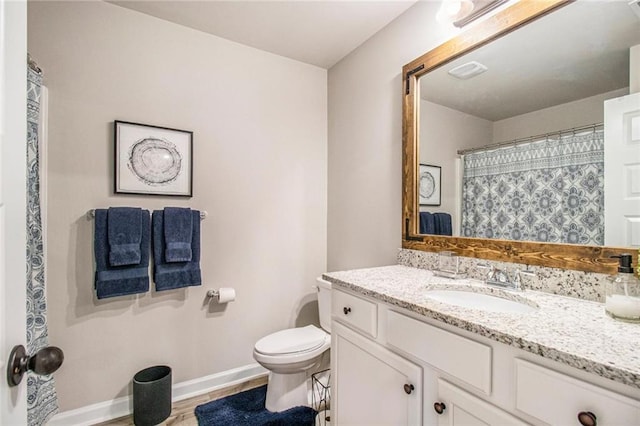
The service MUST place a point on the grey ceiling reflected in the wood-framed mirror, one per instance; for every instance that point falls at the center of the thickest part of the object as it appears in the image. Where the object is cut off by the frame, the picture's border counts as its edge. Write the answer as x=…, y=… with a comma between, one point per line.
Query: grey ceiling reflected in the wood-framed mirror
x=576, y=52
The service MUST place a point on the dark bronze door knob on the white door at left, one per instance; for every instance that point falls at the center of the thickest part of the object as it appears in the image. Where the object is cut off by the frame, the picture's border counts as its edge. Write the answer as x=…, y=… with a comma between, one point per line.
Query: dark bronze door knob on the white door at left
x=45, y=361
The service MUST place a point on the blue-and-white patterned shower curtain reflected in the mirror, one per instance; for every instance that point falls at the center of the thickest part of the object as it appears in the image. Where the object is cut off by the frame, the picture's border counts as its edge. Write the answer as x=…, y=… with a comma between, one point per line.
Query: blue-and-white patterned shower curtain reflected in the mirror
x=550, y=190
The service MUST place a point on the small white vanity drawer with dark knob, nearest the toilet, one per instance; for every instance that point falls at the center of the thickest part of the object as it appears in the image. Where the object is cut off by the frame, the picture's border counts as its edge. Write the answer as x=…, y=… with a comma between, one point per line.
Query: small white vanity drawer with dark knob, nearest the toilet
x=355, y=311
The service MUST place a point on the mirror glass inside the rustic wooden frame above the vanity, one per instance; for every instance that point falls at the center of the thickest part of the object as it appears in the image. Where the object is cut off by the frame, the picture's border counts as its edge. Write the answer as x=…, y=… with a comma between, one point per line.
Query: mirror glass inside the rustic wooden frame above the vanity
x=513, y=139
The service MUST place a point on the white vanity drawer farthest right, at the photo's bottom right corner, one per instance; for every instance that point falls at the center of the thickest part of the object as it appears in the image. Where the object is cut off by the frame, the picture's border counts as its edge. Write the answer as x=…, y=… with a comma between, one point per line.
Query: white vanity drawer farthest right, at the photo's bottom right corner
x=558, y=399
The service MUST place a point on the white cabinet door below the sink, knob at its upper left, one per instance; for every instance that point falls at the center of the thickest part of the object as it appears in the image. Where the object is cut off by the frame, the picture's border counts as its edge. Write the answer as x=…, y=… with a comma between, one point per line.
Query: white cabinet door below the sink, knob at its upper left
x=460, y=408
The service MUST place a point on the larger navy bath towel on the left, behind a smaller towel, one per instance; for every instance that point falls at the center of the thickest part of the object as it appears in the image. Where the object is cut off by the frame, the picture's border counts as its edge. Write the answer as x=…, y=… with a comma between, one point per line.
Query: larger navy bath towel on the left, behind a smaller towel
x=111, y=281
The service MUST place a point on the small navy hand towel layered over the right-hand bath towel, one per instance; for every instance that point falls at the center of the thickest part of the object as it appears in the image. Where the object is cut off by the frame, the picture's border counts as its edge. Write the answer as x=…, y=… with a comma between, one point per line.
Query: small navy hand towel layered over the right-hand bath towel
x=178, y=230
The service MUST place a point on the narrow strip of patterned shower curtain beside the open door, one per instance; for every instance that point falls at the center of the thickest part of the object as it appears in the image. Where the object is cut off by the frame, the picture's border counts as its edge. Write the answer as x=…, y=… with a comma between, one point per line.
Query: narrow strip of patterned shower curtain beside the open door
x=42, y=401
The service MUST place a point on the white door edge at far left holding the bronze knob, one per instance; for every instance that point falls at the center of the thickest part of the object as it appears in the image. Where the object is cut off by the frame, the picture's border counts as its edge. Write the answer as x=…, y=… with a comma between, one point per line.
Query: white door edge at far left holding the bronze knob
x=13, y=137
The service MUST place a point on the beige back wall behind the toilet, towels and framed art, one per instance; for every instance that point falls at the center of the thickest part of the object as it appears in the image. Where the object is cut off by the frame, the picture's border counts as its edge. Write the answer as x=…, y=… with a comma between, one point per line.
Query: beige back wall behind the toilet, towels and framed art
x=260, y=142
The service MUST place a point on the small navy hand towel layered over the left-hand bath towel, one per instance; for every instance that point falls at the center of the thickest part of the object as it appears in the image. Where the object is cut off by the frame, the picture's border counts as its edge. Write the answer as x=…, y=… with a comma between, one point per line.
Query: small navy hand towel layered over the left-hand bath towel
x=124, y=229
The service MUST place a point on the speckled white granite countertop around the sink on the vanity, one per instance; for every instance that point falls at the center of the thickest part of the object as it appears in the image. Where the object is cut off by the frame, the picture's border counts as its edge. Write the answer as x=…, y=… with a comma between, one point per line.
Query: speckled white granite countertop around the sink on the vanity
x=564, y=329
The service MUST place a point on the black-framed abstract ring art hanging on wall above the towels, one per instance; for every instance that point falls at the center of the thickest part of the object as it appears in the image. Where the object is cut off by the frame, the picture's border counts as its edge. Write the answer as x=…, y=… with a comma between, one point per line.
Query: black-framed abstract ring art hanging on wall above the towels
x=152, y=160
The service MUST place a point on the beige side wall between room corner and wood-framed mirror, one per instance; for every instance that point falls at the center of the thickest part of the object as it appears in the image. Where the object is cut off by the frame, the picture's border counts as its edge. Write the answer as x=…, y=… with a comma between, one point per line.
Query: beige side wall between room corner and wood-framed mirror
x=365, y=140
